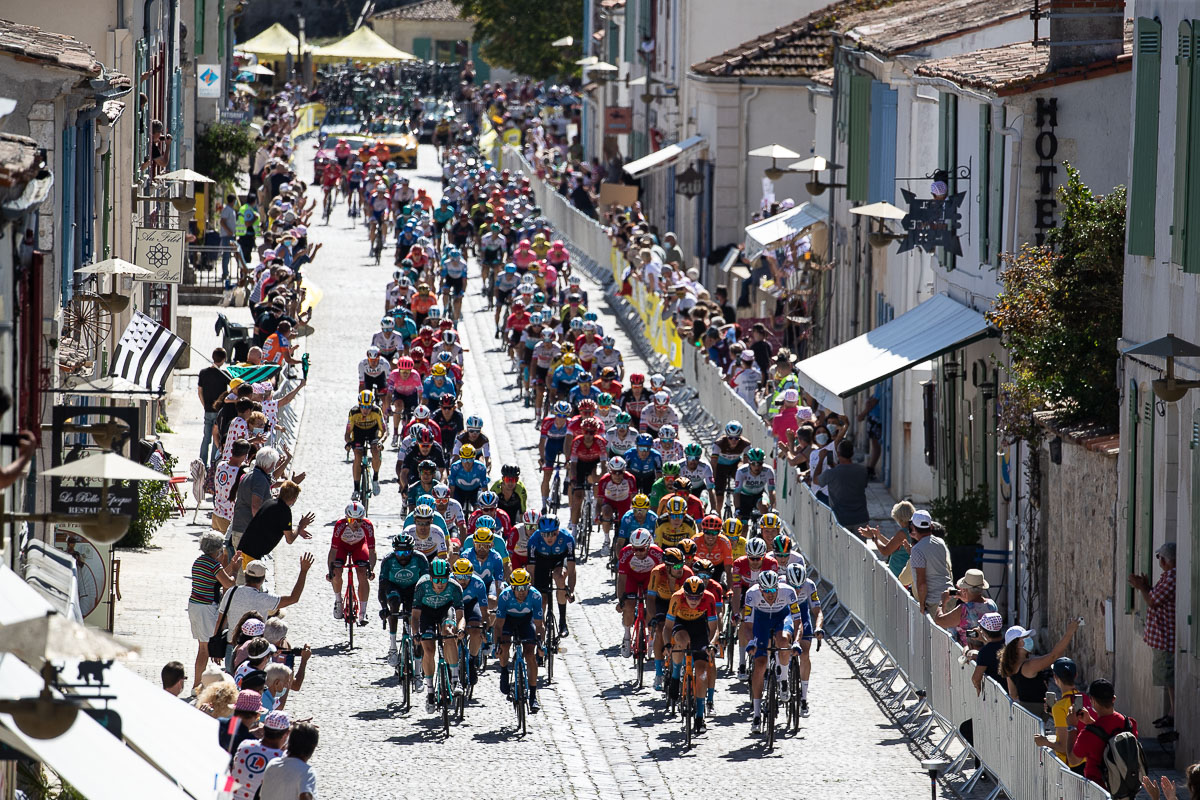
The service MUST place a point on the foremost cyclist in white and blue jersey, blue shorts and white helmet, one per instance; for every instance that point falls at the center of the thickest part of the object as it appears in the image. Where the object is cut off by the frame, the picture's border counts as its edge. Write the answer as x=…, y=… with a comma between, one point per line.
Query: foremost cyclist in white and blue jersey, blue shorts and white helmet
x=772, y=609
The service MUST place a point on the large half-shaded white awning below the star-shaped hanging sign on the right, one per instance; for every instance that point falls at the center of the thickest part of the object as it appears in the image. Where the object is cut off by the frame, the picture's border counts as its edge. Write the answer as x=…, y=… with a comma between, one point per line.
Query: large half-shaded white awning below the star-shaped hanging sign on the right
x=935, y=327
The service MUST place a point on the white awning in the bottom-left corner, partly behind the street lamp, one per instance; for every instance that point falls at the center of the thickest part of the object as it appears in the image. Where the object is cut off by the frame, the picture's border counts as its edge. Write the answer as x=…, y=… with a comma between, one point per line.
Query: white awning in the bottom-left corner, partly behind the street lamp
x=87, y=756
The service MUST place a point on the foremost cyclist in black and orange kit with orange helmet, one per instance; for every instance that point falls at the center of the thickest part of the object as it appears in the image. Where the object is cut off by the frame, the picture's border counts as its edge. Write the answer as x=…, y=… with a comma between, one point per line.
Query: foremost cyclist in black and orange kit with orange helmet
x=693, y=623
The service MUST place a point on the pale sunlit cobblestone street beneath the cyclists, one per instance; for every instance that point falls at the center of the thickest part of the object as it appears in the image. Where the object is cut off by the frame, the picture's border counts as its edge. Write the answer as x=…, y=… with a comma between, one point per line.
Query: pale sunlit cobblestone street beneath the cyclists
x=597, y=736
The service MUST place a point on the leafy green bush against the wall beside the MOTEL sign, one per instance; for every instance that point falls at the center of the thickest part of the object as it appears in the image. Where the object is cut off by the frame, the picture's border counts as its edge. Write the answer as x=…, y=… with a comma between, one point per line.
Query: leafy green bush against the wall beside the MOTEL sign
x=1059, y=314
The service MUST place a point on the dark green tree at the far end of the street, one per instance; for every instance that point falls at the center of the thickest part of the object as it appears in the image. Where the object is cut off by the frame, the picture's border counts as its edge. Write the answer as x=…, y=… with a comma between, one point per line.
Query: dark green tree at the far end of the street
x=518, y=34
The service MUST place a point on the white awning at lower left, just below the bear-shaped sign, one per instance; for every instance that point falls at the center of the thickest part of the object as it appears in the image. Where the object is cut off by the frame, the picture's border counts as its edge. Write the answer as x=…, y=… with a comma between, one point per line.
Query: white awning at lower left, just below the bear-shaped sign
x=171, y=735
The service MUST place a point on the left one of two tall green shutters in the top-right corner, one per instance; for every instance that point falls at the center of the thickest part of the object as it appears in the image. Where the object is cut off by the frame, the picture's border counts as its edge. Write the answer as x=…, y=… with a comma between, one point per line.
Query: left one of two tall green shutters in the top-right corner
x=1144, y=178
